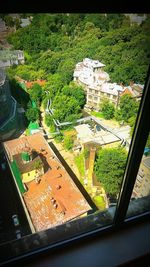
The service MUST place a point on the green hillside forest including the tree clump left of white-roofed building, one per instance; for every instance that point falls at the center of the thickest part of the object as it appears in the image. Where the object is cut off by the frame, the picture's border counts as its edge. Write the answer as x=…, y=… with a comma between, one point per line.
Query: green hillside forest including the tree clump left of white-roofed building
x=54, y=43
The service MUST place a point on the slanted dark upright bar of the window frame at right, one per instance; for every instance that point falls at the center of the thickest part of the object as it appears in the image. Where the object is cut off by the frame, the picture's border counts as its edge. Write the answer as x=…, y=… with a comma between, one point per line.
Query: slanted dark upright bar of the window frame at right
x=139, y=138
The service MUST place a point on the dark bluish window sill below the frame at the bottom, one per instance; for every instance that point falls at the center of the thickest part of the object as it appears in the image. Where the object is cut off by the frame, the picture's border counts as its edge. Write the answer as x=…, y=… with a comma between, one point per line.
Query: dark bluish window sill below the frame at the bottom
x=128, y=246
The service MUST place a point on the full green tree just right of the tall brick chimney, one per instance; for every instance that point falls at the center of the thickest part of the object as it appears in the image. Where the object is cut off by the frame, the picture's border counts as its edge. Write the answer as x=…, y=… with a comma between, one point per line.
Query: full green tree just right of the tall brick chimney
x=109, y=168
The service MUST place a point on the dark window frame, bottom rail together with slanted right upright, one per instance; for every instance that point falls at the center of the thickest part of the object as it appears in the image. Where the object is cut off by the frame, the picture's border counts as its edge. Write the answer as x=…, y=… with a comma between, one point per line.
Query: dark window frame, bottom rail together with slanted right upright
x=139, y=138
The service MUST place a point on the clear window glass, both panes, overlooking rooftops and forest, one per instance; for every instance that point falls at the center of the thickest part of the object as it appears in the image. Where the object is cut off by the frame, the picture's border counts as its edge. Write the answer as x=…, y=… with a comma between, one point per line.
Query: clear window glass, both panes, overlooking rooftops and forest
x=63, y=157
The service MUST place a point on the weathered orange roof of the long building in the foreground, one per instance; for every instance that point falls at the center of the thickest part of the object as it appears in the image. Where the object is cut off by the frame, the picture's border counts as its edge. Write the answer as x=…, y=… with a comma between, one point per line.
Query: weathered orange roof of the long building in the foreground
x=55, y=199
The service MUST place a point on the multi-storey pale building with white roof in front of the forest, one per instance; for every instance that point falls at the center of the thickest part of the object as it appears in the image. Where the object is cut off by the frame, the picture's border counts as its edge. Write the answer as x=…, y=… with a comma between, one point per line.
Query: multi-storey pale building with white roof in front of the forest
x=94, y=79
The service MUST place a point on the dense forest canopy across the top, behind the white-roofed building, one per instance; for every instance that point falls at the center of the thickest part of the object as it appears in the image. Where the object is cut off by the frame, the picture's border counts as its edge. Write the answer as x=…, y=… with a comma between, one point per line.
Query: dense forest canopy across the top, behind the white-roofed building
x=56, y=42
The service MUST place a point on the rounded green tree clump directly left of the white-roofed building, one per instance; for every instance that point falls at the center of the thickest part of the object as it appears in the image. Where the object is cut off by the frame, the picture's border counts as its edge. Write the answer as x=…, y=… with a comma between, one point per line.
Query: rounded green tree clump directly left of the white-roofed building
x=66, y=102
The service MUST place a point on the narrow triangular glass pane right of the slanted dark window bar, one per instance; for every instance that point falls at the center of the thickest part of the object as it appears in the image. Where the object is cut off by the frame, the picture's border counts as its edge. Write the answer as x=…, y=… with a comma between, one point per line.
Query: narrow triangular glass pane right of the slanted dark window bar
x=140, y=200
